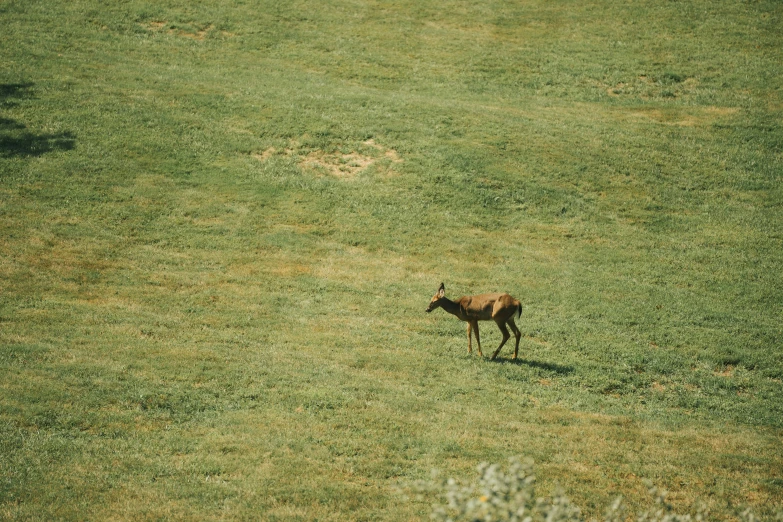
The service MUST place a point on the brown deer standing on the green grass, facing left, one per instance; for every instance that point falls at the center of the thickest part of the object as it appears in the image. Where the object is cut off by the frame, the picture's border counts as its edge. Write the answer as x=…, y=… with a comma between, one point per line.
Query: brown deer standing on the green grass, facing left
x=484, y=307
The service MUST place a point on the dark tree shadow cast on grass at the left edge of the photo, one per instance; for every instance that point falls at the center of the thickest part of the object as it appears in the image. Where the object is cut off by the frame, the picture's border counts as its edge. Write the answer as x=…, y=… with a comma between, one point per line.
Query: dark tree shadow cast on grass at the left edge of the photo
x=16, y=140
